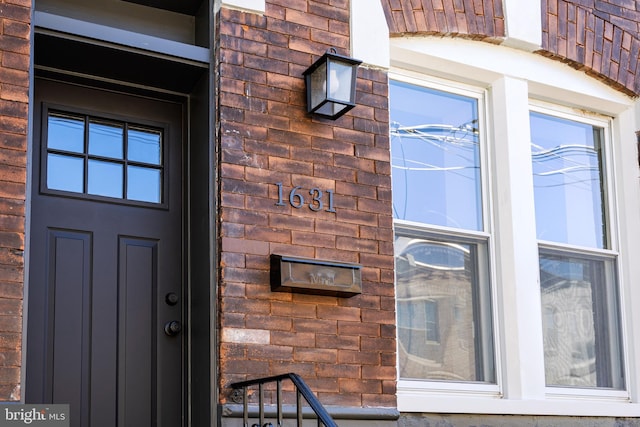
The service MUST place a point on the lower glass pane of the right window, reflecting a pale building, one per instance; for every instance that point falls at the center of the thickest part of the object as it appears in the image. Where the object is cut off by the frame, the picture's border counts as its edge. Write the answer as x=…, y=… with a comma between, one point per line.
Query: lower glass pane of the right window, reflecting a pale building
x=580, y=322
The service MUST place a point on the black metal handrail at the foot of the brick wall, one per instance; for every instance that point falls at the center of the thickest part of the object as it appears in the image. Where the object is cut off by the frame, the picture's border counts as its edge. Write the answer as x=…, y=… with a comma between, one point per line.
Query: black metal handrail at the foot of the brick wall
x=302, y=391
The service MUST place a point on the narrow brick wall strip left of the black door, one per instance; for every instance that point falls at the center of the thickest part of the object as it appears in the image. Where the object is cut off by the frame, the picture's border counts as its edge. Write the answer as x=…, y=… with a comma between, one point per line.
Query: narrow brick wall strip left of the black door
x=14, y=82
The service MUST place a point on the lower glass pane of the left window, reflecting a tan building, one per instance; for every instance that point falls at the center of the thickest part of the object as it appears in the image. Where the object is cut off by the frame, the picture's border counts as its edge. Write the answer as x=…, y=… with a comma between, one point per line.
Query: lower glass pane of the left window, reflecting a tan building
x=444, y=321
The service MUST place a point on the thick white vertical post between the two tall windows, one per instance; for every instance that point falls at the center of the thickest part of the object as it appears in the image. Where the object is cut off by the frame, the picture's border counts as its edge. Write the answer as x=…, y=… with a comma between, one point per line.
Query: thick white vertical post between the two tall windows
x=518, y=292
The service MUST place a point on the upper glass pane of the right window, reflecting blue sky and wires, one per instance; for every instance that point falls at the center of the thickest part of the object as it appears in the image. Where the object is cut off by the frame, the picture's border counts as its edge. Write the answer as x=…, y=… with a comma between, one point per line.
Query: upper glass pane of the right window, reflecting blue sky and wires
x=567, y=176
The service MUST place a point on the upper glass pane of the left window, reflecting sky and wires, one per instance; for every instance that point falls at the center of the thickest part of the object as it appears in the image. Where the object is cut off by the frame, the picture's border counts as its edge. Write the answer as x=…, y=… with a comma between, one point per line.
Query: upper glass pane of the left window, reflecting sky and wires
x=435, y=157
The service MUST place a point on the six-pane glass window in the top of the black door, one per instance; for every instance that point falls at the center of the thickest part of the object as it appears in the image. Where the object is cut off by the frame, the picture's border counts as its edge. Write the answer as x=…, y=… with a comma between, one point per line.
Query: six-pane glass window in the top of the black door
x=99, y=162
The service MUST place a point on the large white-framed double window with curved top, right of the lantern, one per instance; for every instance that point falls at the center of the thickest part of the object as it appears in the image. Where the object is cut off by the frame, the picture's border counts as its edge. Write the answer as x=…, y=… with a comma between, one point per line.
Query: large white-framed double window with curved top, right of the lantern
x=543, y=244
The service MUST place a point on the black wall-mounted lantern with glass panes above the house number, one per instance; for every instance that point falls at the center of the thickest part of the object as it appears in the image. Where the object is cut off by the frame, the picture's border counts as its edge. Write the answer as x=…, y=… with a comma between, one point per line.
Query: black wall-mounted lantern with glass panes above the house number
x=331, y=85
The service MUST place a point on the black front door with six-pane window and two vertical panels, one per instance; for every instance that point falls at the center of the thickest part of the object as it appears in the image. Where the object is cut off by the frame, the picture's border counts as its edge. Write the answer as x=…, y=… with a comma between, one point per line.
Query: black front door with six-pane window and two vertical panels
x=105, y=302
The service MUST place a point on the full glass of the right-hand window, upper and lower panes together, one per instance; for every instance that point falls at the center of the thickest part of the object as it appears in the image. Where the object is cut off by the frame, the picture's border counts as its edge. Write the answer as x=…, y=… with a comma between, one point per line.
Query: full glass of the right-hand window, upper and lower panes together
x=580, y=315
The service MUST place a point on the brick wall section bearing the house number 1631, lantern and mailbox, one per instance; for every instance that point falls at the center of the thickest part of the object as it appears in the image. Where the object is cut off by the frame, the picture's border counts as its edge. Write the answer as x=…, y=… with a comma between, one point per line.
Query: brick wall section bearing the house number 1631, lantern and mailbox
x=343, y=347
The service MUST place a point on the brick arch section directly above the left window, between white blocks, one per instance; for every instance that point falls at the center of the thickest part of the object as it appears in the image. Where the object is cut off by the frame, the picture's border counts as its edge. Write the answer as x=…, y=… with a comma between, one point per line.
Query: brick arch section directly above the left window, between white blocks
x=477, y=19
